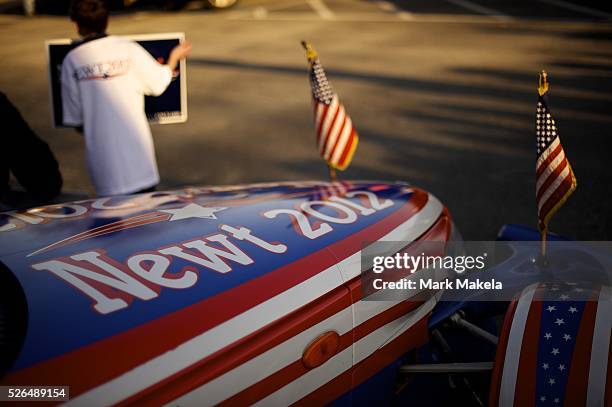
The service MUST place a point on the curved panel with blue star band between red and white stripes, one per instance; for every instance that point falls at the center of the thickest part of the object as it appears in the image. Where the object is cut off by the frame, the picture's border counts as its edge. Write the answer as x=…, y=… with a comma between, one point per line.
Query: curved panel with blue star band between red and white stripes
x=555, y=348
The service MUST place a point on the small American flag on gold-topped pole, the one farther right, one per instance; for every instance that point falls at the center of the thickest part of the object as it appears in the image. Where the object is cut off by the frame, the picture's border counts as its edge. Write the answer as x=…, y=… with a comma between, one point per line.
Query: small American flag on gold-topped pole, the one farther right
x=555, y=180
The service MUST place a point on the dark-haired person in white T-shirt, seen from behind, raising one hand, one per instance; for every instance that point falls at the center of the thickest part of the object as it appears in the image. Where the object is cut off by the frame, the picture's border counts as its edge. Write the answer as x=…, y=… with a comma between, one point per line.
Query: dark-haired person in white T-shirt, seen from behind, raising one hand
x=104, y=81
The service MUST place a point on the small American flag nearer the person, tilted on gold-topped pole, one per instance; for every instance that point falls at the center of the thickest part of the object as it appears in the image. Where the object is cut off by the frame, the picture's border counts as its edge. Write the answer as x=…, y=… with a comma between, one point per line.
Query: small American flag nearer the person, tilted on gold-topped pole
x=336, y=136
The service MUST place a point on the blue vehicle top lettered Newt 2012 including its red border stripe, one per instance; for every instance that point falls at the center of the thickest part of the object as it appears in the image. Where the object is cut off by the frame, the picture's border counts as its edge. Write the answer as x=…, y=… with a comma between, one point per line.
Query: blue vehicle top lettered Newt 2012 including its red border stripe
x=52, y=249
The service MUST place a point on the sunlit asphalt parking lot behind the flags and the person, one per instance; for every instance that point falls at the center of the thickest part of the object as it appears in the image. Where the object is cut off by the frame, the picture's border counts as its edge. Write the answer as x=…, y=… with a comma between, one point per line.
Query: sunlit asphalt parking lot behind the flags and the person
x=442, y=94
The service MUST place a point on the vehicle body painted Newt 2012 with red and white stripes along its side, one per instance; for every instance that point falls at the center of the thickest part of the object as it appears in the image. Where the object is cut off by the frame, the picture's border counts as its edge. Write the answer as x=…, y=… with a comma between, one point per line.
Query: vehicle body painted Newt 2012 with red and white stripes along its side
x=211, y=295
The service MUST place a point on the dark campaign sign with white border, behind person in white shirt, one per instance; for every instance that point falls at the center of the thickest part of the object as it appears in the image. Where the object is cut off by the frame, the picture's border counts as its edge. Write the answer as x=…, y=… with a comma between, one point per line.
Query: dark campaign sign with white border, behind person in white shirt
x=169, y=107
